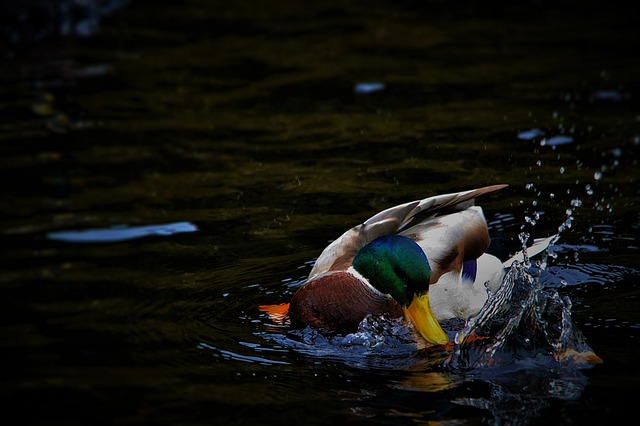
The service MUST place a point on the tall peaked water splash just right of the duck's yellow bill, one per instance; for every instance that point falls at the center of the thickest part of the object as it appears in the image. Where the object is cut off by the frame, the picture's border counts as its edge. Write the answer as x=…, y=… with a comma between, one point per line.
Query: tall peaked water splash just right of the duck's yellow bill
x=521, y=320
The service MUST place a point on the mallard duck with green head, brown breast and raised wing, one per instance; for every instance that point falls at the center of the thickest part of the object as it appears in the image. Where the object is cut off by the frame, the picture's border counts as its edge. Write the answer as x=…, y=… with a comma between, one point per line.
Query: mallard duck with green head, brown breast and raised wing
x=425, y=261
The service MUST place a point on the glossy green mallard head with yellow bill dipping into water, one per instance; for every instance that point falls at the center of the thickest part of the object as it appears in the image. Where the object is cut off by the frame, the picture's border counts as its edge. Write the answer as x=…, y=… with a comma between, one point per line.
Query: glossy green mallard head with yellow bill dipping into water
x=397, y=266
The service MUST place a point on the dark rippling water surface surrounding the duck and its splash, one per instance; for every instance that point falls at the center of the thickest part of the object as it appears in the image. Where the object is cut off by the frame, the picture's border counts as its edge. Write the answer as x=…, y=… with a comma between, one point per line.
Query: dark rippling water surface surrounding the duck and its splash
x=212, y=150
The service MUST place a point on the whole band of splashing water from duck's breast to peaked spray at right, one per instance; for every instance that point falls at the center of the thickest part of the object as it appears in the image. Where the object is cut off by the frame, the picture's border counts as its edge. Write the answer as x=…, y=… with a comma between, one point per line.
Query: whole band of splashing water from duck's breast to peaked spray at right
x=521, y=322
